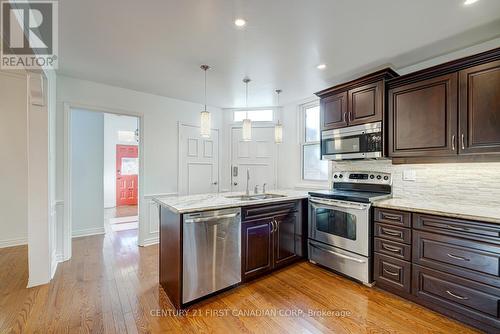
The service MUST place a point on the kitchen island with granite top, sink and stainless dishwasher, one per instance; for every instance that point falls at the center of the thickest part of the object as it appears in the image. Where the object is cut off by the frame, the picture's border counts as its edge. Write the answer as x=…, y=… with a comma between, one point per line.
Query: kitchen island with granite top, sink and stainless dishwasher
x=212, y=242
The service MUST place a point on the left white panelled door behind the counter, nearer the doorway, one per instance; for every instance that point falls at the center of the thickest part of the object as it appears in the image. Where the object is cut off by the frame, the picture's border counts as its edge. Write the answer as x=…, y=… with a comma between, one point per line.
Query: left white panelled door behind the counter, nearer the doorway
x=198, y=161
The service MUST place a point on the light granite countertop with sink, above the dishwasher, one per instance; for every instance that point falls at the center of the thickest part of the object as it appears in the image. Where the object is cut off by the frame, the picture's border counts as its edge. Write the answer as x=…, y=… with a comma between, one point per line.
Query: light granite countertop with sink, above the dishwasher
x=214, y=201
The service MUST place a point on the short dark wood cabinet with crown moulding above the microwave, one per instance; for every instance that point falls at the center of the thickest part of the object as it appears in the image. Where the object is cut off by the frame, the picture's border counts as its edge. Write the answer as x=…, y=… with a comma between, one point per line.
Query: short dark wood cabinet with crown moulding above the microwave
x=355, y=102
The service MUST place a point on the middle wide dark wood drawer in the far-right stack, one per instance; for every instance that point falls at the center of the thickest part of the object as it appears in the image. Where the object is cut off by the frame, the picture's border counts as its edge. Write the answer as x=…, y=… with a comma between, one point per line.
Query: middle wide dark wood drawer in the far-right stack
x=472, y=259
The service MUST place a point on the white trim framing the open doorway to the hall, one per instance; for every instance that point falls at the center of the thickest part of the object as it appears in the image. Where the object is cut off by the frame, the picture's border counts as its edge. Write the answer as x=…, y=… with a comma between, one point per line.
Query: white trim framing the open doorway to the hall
x=67, y=225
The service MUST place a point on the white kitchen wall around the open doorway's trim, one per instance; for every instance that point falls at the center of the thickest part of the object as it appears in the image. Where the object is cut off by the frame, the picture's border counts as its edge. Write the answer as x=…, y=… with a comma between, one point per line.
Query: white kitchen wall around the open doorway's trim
x=159, y=123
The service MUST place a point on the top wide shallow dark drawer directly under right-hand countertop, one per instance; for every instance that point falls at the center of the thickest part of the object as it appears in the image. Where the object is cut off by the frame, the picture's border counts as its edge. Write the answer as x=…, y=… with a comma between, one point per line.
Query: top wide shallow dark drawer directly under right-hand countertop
x=457, y=227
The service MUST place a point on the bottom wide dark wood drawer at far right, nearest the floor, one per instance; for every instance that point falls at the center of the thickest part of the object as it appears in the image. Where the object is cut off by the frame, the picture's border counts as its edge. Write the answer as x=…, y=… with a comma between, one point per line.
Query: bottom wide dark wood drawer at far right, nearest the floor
x=459, y=295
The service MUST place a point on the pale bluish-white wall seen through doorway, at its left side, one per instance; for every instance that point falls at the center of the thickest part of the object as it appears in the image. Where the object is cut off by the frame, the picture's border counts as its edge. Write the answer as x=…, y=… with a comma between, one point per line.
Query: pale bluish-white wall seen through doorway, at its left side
x=87, y=172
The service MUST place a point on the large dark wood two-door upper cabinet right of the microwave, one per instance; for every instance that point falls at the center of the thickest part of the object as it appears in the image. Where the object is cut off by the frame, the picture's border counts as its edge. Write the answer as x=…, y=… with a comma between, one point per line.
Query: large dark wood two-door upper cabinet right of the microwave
x=446, y=113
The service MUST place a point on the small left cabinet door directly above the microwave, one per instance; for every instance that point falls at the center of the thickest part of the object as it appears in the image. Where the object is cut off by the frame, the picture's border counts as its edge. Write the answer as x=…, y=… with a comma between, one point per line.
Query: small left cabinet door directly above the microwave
x=334, y=111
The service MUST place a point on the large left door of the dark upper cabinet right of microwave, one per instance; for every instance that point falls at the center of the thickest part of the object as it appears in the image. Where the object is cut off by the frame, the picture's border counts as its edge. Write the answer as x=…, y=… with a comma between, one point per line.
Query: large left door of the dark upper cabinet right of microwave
x=423, y=118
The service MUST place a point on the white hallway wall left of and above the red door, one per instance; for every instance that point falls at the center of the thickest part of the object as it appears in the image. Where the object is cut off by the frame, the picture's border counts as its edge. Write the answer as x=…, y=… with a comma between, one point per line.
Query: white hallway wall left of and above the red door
x=113, y=124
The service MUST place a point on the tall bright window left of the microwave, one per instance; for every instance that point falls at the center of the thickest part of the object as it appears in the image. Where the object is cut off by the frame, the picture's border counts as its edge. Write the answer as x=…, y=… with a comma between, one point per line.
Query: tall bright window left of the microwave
x=313, y=168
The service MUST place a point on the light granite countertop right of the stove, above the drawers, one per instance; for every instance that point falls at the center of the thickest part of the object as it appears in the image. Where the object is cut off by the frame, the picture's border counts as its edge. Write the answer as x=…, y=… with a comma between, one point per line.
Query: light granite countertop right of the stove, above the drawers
x=461, y=210
